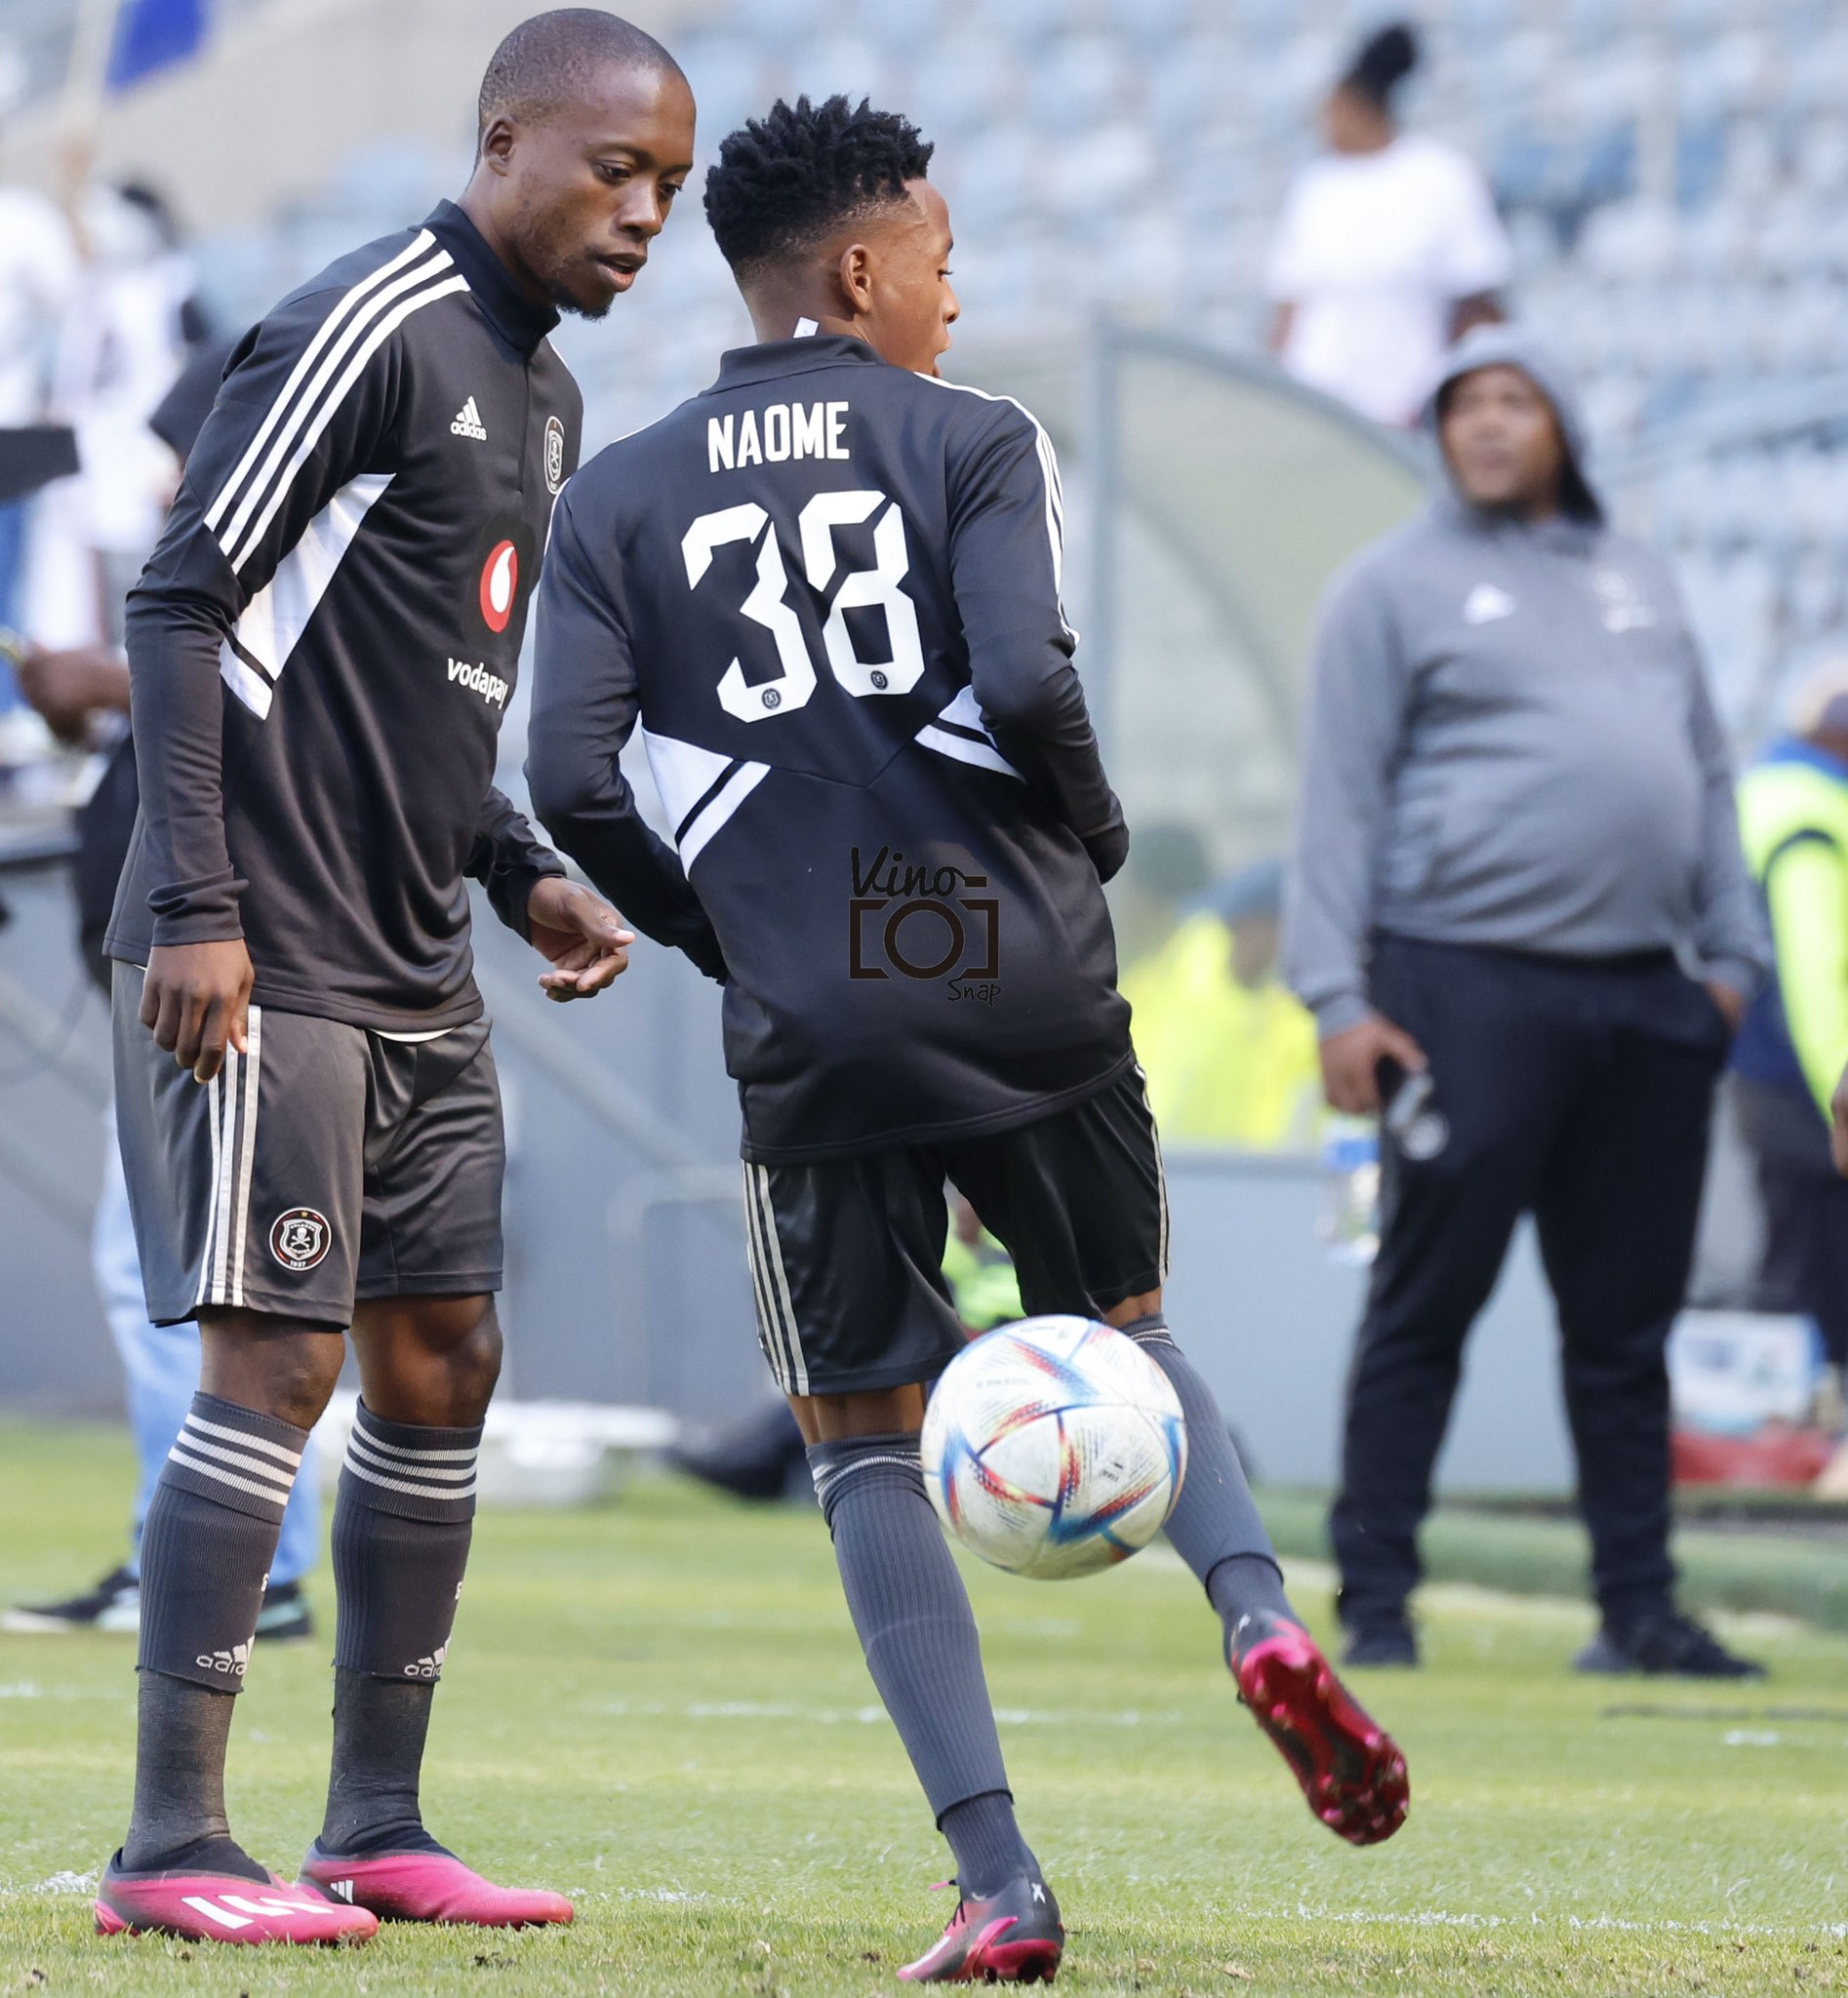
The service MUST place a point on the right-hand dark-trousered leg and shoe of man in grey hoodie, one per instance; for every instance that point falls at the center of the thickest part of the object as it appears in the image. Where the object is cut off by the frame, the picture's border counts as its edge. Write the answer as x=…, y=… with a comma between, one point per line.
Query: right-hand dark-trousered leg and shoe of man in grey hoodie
x=1617, y=1230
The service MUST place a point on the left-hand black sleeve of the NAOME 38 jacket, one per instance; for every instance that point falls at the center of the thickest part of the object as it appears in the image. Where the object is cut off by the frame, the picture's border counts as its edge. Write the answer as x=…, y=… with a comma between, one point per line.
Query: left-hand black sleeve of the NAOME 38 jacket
x=584, y=712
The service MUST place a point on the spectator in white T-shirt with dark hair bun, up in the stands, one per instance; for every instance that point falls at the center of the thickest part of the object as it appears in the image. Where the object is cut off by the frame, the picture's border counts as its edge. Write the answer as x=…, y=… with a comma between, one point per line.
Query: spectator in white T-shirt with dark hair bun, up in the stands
x=1387, y=251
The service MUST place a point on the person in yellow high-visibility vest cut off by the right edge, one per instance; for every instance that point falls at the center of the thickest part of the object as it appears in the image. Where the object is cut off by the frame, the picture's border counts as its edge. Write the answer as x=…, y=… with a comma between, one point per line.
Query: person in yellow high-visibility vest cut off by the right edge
x=1793, y=810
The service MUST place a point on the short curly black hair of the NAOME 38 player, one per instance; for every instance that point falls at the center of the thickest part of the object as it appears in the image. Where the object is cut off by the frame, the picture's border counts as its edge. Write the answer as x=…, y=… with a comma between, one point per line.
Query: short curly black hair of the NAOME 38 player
x=802, y=171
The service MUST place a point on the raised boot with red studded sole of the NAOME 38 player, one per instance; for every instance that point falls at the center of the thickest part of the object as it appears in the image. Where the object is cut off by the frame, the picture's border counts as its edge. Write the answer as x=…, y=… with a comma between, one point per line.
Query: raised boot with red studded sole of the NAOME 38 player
x=1348, y=1765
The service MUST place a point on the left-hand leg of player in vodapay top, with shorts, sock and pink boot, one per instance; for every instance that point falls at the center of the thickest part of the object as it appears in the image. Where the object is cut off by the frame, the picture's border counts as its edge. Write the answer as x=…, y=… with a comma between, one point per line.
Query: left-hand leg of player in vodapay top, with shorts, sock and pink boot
x=215, y=1178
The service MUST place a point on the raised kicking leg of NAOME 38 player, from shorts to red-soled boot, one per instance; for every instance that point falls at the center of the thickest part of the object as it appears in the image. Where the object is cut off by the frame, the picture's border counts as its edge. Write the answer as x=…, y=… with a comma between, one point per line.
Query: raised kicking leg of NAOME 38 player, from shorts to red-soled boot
x=1082, y=1204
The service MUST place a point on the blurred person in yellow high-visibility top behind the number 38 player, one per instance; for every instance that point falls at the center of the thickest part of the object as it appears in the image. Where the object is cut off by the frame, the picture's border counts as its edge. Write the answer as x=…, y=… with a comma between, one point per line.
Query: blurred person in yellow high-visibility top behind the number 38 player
x=1228, y=1048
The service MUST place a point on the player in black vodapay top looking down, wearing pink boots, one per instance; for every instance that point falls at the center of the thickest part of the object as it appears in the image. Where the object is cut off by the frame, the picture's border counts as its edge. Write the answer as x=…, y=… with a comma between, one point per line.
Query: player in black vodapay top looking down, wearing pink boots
x=321, y=654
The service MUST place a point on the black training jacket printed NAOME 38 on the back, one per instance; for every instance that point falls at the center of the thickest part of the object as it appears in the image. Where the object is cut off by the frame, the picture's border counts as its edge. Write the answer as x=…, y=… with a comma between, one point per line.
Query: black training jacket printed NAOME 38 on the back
x=828, y=590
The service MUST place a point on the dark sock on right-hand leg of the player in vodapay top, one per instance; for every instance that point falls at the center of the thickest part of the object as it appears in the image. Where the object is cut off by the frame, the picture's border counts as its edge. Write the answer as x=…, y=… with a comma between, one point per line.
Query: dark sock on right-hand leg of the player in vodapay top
x=403, y=1529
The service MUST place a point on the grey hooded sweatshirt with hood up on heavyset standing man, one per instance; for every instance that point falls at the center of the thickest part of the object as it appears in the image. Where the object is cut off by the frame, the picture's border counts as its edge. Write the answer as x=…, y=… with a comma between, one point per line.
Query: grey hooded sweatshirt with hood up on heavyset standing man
x=1511, y=744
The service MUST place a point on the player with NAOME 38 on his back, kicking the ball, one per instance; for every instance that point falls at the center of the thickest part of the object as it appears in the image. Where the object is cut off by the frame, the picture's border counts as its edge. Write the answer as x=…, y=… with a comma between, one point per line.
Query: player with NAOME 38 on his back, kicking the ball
x=828, y=590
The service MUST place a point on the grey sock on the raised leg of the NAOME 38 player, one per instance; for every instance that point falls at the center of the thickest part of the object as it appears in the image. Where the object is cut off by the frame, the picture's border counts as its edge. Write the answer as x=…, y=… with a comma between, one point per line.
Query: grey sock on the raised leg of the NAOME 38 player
x=1216, y=1527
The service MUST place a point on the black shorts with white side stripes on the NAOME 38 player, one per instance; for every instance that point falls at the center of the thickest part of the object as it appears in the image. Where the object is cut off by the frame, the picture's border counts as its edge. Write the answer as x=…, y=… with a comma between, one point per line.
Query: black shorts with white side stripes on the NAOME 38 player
x=848, y=1254
